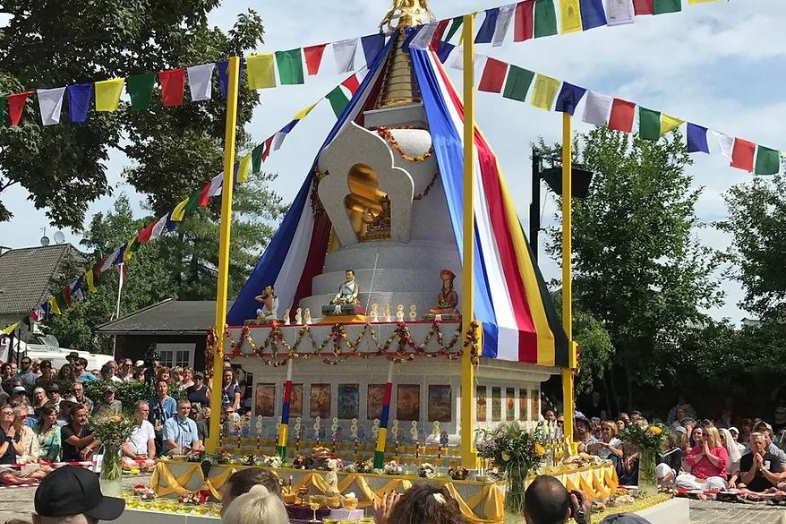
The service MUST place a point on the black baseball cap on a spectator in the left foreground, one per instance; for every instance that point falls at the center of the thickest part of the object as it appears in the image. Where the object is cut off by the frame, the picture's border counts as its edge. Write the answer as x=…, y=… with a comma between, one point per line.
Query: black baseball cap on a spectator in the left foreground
x=72, y=490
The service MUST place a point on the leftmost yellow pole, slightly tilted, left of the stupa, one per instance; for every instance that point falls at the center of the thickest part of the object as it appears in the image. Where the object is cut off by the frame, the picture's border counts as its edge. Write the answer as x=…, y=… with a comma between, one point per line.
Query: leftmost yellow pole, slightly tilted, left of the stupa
x=223, y=252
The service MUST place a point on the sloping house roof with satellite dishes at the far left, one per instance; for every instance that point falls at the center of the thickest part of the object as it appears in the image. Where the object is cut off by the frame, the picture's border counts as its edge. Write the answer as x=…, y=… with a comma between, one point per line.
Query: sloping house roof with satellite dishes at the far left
x=26, y=275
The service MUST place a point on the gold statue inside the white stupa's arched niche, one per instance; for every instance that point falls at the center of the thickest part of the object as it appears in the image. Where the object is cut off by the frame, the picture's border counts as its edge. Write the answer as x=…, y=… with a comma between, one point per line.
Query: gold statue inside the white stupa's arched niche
x=368, y=207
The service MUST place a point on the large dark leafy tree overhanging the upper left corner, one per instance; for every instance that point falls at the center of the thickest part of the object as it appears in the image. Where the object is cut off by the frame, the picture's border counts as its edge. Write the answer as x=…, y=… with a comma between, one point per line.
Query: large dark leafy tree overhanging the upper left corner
x=50, y=44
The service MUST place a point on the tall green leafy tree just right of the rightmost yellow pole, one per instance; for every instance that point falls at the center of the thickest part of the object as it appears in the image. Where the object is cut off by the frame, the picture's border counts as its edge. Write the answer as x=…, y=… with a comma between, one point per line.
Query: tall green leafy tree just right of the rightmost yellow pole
x=638, y=267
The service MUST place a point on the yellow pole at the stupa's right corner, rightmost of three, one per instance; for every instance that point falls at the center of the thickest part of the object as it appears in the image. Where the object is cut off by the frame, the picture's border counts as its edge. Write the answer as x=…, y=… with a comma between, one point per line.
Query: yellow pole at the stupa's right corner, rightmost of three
x=567, y=289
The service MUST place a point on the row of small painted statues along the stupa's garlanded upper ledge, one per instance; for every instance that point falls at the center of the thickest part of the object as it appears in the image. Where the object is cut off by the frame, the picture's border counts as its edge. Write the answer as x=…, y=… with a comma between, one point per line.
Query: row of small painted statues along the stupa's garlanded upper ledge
x=345, y=302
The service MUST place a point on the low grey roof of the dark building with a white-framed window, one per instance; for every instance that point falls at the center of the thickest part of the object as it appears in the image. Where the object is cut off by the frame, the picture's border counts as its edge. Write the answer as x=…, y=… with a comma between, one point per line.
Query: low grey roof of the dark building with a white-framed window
x=170, y=317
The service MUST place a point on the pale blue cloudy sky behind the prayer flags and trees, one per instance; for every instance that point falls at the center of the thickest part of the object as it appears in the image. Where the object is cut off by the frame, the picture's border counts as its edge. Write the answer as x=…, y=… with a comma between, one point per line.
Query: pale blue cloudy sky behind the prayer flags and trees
x=716, y=64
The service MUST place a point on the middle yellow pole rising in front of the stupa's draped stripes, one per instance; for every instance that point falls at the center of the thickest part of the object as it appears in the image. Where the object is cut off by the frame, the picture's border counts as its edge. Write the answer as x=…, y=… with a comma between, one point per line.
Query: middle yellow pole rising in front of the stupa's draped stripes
x=469, y=456
